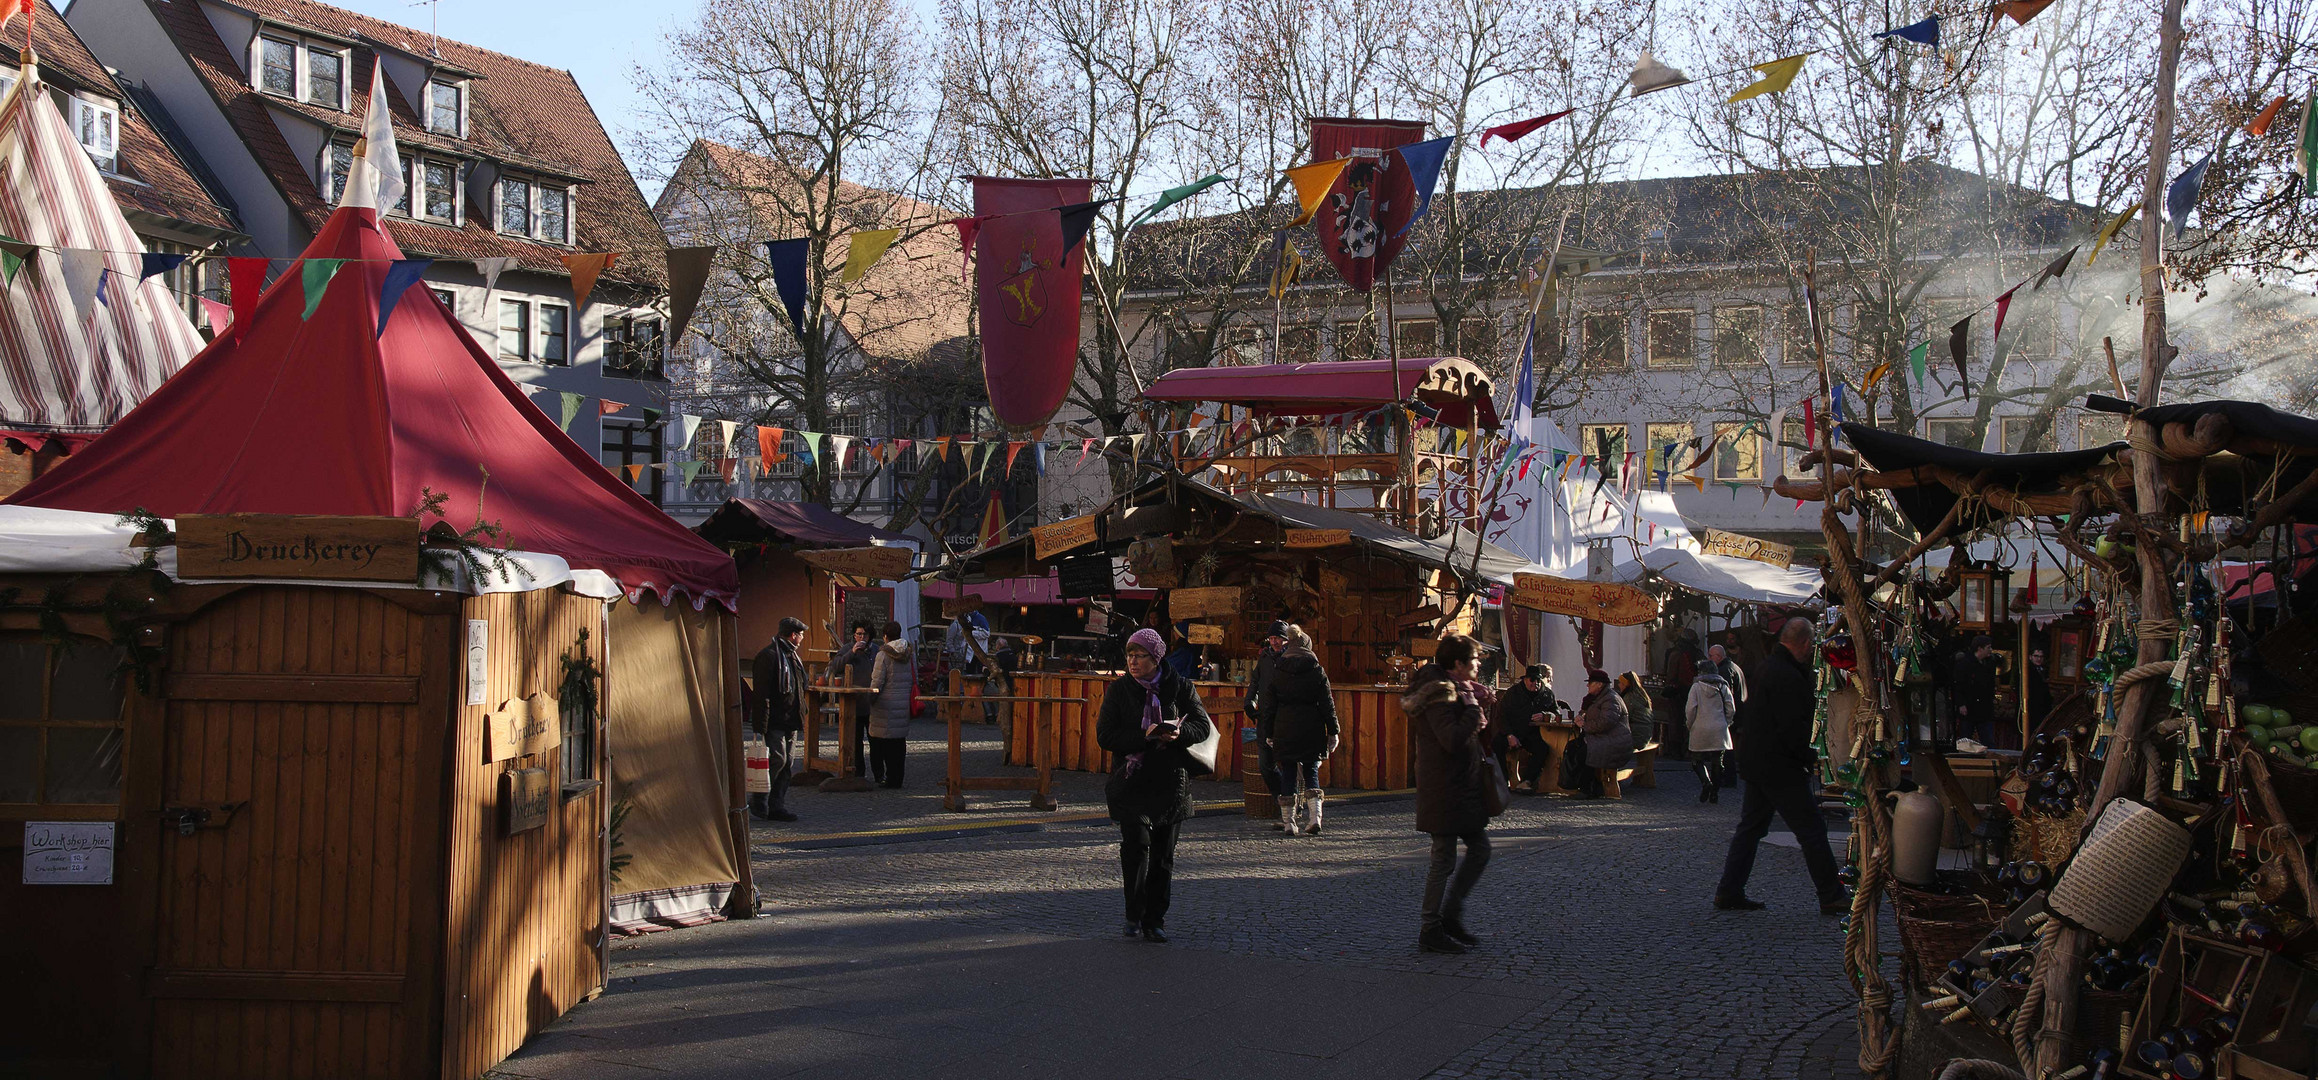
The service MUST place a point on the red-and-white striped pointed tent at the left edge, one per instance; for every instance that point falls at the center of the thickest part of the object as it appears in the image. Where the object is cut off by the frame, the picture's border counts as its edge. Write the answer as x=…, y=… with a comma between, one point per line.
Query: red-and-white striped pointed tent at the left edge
x=82, y=335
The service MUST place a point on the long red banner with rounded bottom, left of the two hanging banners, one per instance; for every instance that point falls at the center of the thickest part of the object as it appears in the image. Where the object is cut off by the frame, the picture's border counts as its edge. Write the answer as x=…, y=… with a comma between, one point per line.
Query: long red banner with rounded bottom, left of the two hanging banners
x=1028, y=295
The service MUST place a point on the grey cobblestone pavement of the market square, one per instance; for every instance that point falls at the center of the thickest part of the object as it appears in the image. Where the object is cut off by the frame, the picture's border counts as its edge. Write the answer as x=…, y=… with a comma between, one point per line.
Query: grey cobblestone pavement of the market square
x=996, y=954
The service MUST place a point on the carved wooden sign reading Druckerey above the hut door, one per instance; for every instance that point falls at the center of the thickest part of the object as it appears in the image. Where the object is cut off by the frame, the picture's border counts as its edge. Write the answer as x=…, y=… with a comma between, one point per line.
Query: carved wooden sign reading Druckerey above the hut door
x=312, y=548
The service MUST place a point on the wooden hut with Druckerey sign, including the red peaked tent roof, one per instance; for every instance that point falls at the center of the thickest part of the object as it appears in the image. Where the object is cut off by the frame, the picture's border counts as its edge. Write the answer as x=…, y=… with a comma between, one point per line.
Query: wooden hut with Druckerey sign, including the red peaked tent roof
x=305, y=759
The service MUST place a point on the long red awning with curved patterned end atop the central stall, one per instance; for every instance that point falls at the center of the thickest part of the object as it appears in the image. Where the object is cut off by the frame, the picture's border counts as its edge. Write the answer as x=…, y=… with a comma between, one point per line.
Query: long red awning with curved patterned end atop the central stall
x=1452, y=386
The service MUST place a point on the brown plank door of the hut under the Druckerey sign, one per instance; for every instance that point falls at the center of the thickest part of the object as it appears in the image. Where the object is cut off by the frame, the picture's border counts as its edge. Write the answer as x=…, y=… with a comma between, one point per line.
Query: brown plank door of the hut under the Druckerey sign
x=298, y=900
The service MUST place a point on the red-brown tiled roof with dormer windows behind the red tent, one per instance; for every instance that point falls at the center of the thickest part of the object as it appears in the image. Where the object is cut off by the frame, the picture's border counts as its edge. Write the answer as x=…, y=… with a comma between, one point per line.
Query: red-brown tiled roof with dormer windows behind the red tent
x=520, y=112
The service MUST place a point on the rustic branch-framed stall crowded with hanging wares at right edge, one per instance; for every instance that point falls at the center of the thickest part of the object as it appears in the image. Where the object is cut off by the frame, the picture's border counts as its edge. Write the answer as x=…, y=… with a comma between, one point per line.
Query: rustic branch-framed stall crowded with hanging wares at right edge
x=2138, y=893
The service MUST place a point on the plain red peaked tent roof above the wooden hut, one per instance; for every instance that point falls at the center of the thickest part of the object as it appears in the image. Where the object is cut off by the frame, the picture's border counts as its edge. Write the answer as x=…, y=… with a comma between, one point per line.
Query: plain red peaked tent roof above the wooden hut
x=323, y=416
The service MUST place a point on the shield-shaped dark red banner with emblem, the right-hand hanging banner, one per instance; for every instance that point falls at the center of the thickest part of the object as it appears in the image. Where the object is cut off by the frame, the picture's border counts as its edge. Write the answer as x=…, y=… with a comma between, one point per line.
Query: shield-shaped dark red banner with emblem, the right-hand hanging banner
x=1362, y=219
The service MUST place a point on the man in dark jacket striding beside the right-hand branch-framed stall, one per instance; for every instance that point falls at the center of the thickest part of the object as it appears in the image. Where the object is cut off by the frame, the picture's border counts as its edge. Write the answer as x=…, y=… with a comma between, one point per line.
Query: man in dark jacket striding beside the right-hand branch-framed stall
x=1777, y=761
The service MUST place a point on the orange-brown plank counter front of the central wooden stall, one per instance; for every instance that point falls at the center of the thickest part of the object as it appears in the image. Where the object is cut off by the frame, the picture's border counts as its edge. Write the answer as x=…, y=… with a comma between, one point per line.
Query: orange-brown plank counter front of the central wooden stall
x=1376, y=752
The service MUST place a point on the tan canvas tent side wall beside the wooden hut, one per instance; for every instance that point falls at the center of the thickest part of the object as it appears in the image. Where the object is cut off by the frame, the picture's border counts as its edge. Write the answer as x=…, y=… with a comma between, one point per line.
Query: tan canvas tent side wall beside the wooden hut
x=669, y=734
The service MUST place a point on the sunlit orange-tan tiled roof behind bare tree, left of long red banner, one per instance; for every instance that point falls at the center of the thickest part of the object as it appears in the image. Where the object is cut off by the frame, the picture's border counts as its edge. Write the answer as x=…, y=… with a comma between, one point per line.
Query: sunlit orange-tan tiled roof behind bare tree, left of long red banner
x=907, y=305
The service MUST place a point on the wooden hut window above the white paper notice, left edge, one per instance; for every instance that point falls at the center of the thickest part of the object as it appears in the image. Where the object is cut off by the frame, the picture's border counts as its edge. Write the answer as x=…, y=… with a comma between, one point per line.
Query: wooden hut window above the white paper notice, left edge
x=61, y=722
